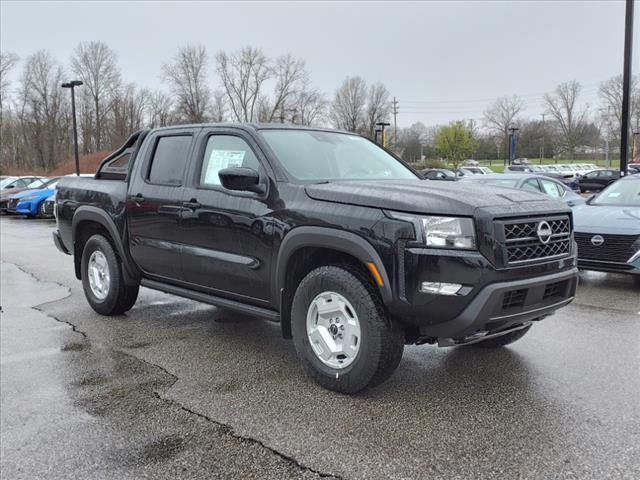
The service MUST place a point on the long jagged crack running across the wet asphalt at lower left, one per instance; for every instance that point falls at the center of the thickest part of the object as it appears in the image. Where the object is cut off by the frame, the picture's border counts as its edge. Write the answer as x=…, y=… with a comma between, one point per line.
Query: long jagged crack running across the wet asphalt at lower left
x=226, y=429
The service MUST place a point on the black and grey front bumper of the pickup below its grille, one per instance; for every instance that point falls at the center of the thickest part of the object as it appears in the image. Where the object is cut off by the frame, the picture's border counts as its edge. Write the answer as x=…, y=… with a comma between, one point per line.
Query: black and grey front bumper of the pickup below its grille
x=493, y=299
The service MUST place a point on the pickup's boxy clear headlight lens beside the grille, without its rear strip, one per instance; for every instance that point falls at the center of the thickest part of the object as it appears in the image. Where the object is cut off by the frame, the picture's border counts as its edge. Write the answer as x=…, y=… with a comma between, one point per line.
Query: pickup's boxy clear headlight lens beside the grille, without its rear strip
x=449, y=232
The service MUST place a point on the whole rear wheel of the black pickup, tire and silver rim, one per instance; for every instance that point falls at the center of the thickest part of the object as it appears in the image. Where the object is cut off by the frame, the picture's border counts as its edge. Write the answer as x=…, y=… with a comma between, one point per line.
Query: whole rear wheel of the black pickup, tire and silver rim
x=102, y=279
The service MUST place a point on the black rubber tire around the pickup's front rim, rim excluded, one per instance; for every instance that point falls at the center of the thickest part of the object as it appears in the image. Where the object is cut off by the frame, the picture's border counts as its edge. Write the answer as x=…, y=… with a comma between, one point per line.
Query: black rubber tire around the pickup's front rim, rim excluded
x=381, y=345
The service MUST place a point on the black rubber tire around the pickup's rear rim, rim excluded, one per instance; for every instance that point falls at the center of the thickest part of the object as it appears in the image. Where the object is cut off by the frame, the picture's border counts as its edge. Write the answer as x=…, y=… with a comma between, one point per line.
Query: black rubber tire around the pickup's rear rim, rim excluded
x=120, y=297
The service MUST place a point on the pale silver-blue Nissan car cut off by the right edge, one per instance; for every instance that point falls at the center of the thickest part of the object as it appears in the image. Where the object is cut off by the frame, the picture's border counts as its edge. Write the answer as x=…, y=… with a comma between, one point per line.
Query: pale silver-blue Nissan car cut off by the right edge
x=607, y=229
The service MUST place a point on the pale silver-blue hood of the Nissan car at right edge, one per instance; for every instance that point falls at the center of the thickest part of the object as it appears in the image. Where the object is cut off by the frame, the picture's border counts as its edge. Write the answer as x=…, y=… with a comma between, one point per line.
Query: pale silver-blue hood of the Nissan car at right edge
x=607, y=219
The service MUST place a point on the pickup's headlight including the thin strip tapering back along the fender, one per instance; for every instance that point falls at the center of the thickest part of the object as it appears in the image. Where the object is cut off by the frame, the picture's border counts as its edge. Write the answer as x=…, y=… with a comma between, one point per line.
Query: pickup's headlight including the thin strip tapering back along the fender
x=441, y=232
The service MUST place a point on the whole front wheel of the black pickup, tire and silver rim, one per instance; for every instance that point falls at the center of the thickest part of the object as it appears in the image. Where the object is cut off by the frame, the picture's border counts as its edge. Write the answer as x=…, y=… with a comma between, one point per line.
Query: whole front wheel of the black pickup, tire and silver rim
x=341, y=331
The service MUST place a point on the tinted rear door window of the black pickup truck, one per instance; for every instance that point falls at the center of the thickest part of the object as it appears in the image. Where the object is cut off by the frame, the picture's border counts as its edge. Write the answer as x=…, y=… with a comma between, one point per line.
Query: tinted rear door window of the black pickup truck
x=169, y=160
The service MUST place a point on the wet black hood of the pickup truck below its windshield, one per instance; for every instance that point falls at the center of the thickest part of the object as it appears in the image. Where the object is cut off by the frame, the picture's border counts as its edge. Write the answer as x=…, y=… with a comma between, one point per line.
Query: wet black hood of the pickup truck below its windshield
x=421, y=196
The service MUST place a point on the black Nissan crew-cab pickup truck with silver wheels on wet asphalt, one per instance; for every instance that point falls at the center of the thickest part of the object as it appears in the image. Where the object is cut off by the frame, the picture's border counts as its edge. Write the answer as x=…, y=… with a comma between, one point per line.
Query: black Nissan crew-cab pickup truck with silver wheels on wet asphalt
x=322, y=231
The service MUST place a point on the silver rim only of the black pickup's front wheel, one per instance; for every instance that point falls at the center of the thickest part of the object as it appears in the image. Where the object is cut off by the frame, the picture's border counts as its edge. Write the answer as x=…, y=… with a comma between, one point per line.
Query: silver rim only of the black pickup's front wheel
x=333, y=330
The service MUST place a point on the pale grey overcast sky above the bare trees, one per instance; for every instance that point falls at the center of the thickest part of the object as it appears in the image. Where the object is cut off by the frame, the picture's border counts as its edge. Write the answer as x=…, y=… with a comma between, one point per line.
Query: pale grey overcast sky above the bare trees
x=442, y=60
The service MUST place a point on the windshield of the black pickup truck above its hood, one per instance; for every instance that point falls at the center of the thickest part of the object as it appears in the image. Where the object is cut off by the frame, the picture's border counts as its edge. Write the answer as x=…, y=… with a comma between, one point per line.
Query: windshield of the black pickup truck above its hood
x=324, y=156
